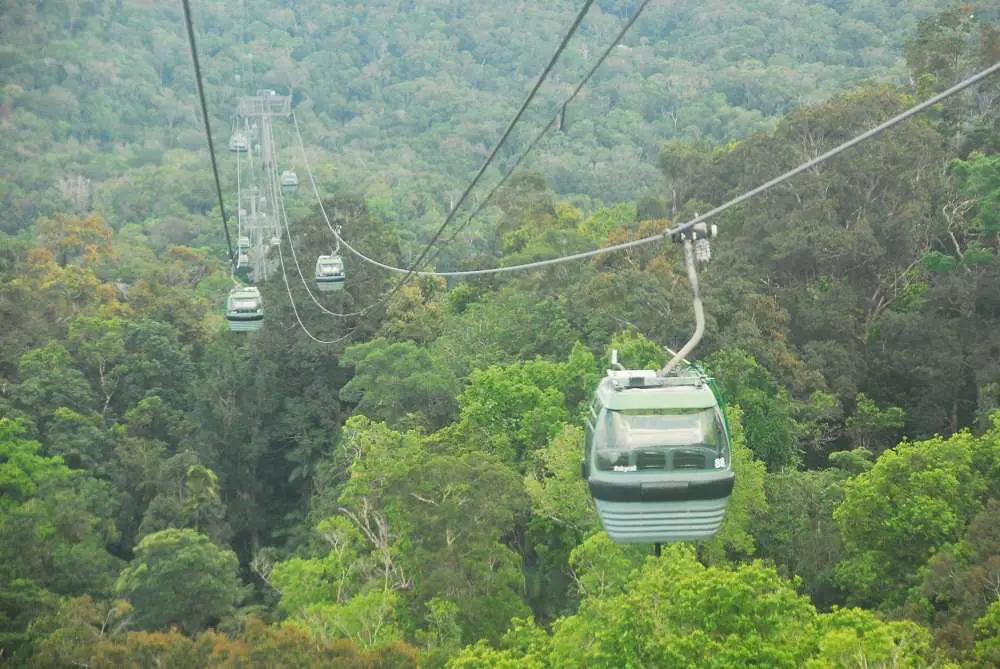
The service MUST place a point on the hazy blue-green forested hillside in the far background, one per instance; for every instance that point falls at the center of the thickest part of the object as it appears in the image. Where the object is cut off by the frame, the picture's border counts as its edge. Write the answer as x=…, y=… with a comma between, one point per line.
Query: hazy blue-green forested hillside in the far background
x=404, y=98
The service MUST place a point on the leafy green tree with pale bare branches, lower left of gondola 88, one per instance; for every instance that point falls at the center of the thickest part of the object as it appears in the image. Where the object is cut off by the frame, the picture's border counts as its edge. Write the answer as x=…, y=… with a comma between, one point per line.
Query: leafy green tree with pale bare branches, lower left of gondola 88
x=433, y=521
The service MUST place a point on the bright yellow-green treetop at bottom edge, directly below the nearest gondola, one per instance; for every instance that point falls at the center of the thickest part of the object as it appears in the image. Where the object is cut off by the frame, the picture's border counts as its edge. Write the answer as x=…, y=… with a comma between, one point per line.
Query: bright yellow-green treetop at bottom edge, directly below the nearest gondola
x=673, y=611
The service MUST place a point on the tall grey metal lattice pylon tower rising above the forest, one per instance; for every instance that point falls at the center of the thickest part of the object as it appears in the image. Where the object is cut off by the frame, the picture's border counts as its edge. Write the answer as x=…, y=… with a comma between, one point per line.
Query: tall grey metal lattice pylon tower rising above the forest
x=259, y=218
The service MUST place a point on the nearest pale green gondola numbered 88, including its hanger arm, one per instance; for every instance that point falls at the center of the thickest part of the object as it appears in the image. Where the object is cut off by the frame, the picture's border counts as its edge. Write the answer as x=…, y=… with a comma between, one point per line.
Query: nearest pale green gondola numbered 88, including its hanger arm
x=657, y=455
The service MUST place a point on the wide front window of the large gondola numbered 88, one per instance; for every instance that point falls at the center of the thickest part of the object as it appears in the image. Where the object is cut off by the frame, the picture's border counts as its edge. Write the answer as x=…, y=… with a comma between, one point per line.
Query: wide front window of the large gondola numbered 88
x=664, y=439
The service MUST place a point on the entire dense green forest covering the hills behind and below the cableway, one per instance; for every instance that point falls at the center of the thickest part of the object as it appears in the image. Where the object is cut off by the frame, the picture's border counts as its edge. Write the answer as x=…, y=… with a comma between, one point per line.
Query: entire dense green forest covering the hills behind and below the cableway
x=174, y=494
